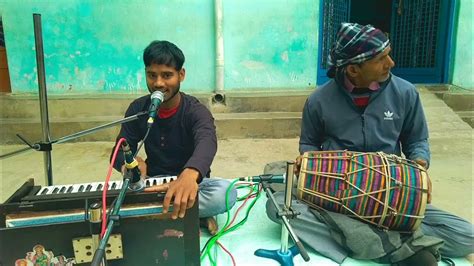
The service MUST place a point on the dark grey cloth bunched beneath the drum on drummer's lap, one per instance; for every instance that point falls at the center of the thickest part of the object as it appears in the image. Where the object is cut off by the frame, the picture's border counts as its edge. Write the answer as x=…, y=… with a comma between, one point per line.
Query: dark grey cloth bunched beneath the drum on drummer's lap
x=364, y=241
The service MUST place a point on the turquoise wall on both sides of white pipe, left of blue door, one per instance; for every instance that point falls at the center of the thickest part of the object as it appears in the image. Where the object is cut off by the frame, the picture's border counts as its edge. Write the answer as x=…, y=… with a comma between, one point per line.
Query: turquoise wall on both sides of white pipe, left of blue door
x=96, y=46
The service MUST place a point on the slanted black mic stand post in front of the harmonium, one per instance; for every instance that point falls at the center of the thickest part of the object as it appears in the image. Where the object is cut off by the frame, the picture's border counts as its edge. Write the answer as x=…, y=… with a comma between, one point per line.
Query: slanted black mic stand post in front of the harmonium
x=113, y=217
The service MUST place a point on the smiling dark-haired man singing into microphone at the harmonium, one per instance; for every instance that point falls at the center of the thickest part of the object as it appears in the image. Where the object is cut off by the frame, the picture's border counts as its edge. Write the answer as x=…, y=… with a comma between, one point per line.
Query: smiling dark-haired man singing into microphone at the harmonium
x=182, y=140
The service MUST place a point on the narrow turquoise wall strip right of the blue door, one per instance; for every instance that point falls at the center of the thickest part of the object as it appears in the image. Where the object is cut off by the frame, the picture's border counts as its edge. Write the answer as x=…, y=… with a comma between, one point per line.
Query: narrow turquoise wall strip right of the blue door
x=463, y=70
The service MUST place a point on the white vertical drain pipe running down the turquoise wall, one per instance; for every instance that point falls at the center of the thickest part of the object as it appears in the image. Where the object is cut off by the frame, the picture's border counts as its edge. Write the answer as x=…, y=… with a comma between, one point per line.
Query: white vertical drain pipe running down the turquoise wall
x=219, y=96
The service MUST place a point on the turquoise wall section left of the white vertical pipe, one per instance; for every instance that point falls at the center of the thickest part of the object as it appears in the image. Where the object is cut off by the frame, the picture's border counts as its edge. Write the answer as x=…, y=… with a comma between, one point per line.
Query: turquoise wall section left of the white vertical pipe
x=96, y=46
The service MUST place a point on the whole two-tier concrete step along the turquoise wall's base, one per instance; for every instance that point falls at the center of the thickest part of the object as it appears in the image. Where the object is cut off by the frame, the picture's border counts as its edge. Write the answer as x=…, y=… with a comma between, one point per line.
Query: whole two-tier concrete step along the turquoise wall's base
x=237, y=115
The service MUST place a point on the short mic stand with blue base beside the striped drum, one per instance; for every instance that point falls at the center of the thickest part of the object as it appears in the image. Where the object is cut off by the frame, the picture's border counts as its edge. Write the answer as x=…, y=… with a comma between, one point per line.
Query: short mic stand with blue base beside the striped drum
x=284, y=255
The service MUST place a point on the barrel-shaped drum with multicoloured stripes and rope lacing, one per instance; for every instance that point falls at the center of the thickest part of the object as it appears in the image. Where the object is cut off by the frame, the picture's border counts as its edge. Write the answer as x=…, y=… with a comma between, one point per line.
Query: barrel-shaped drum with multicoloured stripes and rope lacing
x=384, y=190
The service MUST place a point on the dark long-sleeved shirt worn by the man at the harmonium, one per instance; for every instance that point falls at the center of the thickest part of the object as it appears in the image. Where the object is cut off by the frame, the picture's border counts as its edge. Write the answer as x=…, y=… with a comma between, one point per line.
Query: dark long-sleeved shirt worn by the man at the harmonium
x=185, y=140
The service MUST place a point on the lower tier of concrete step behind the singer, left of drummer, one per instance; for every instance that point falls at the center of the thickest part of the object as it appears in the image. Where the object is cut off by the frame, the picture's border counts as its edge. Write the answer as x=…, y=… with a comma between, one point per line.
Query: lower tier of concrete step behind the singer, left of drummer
x=229, y=125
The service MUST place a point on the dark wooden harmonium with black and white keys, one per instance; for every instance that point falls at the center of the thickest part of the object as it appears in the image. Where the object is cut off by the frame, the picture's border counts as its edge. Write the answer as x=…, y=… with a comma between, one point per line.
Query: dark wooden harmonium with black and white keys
x=56, y=225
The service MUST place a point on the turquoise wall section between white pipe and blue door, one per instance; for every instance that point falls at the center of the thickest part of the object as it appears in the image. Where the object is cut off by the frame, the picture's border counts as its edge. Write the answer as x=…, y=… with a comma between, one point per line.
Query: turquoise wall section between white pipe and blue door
x=273, y=45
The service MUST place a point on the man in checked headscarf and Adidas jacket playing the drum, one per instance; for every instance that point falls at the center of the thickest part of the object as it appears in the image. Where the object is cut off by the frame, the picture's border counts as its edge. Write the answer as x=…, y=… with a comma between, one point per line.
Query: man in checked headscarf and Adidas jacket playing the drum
x=365, y=108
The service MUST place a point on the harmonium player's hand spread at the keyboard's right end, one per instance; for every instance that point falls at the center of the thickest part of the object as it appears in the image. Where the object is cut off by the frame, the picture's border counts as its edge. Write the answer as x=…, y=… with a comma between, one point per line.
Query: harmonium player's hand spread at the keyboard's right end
x=182, y=191
